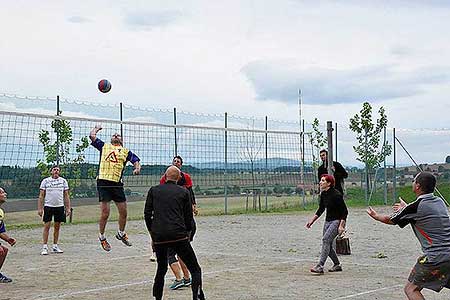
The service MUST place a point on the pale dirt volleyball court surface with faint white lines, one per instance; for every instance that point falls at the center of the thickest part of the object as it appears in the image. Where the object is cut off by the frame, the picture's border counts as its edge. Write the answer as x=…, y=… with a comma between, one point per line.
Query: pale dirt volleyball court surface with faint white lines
x=242, y=257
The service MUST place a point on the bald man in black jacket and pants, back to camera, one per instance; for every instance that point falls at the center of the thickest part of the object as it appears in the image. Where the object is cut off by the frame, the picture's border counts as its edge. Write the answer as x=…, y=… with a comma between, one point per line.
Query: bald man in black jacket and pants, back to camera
x=168, y=216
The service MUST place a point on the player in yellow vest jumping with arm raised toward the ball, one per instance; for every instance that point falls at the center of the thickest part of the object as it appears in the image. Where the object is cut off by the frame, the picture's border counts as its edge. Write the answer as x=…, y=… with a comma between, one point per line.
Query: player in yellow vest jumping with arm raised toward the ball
x=113, y=158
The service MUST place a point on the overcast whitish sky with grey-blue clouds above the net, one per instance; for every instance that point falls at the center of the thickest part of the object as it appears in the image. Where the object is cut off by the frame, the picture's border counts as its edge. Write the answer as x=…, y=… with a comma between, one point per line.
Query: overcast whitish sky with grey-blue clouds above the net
x=243, y=57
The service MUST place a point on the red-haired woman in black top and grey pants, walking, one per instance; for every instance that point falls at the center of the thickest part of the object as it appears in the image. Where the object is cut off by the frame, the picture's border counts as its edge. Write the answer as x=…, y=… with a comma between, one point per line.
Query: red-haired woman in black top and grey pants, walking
x=331, y=200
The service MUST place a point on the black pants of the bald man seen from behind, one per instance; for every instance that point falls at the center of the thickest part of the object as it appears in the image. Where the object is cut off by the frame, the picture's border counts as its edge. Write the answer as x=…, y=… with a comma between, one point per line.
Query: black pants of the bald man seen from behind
x=184, y=250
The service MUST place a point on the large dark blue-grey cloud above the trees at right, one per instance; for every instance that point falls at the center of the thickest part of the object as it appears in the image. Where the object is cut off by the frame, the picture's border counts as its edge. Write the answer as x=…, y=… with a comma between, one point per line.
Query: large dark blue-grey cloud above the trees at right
x=280, y=81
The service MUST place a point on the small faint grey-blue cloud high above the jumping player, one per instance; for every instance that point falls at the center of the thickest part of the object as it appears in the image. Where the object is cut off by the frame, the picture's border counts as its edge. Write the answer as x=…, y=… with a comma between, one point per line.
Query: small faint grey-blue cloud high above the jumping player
x=146, y=20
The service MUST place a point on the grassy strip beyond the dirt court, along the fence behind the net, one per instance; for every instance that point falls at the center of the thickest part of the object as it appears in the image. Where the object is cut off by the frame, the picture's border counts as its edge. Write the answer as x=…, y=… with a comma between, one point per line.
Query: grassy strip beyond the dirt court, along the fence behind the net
x=355, y=197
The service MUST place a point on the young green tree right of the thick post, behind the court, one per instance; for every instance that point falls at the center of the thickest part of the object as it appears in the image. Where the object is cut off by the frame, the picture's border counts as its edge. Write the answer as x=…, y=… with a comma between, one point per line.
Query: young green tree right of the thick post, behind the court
x=368, y=136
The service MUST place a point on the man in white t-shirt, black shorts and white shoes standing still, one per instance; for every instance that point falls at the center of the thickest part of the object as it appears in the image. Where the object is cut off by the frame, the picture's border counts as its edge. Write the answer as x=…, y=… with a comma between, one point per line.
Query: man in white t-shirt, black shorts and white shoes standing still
x=53, y=203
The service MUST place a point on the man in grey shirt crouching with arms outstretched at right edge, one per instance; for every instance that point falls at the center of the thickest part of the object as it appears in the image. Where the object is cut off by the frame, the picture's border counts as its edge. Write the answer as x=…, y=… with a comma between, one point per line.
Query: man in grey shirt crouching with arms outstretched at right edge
x=429, y=219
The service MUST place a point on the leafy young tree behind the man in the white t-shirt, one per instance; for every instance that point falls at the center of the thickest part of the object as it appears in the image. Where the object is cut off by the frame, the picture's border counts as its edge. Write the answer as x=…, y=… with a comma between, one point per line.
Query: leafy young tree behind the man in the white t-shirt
x=59, y=152
